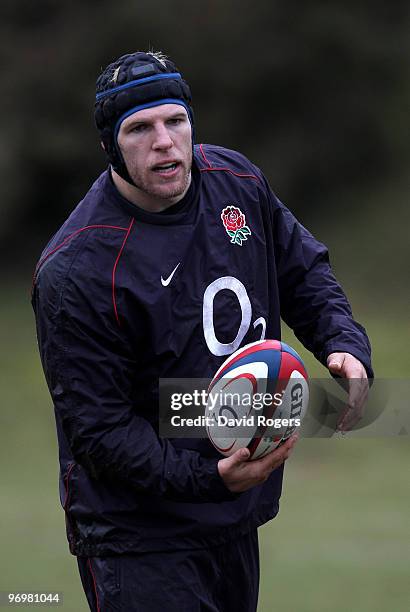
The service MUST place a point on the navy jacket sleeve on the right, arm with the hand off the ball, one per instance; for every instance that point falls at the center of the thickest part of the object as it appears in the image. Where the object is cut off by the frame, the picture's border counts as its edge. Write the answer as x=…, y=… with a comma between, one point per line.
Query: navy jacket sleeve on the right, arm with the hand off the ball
x=313, y=303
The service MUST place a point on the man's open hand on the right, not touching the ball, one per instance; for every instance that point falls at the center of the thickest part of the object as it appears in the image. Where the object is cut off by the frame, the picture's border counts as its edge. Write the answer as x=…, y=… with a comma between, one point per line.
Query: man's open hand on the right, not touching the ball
x=347, y=366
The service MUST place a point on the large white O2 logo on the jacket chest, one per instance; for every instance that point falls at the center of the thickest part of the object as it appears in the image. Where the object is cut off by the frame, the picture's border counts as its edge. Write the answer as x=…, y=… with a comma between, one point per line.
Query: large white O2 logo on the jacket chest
x=232, y=284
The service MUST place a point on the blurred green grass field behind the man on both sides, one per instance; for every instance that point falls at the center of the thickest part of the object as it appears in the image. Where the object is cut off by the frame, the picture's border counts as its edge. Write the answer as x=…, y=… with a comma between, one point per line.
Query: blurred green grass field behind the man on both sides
x=341, y=541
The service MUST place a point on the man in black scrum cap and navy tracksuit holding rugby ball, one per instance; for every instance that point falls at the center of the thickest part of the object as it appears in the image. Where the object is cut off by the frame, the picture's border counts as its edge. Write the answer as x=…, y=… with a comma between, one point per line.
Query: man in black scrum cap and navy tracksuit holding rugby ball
x=143, y=282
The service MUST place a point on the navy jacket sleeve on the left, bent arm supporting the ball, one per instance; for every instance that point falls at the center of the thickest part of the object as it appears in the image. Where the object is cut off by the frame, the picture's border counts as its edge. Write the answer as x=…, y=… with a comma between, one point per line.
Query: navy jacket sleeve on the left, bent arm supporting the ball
x=89, y=370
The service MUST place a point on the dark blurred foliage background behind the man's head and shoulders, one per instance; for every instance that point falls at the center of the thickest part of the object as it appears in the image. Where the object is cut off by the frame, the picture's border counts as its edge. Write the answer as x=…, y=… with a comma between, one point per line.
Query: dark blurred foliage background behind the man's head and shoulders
x=316, y=93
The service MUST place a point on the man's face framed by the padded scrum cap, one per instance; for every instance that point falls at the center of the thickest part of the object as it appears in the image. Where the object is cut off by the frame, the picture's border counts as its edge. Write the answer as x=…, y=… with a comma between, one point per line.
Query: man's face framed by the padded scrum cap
x=156, y=145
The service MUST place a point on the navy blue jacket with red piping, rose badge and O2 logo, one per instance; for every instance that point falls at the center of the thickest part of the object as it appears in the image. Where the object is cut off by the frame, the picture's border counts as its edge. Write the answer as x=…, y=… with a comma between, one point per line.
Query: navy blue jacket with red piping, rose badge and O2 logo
x=108, y=329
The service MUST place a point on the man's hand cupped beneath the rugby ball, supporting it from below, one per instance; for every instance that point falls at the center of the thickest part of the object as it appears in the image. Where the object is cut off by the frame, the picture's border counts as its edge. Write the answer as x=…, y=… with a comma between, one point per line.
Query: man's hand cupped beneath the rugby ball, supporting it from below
x=239, y=474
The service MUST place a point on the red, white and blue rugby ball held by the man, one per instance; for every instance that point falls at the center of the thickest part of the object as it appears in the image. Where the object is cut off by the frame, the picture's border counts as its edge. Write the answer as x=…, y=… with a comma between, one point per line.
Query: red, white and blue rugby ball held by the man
x=257, y=398
